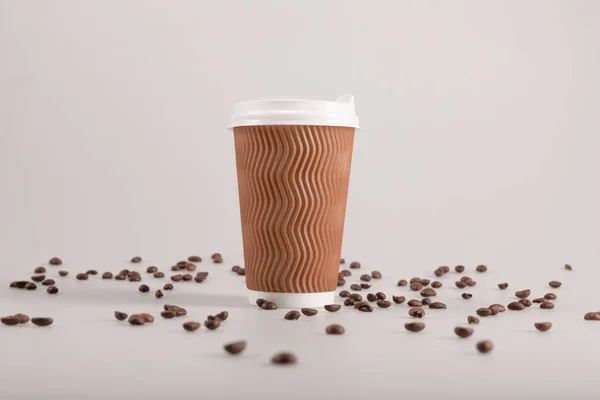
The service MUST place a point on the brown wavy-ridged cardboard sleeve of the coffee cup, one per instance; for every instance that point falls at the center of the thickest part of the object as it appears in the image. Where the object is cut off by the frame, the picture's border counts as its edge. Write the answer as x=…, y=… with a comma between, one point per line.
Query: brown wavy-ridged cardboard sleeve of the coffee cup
x=293, y=186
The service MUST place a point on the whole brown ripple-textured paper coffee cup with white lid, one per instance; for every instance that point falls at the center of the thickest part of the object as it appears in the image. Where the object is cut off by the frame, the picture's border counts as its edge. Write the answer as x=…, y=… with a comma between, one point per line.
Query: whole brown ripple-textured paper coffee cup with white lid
x=293, y=162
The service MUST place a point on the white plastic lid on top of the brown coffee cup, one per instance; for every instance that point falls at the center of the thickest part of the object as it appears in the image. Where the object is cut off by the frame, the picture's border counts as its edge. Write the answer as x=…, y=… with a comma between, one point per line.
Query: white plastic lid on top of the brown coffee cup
x=295, y=112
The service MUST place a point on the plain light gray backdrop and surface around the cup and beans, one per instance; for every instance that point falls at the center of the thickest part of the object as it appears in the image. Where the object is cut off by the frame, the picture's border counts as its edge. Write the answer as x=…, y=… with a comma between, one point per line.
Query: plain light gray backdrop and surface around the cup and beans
x=480, y=144
